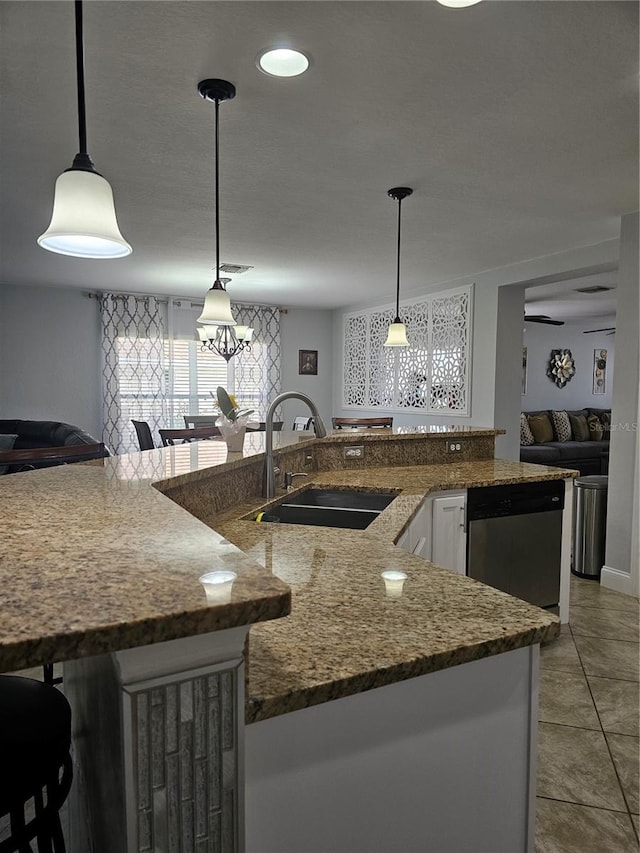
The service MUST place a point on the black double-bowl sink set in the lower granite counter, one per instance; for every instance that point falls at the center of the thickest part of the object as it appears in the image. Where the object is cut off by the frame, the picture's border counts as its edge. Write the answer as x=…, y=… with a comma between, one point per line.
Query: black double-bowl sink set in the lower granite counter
x=329, y=508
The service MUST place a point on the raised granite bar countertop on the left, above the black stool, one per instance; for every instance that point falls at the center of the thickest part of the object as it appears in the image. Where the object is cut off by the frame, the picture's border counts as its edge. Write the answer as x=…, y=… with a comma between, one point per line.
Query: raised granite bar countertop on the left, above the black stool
x=94, y=559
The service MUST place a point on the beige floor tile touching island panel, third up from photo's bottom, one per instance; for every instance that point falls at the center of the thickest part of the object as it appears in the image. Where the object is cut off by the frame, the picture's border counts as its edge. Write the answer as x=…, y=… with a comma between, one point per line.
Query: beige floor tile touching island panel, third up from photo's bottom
x=565, y=698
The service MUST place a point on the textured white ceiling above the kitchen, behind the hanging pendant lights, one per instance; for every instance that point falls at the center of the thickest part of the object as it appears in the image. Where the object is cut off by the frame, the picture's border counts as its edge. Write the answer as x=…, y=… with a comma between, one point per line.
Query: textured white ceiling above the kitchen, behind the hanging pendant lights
x=516, y=123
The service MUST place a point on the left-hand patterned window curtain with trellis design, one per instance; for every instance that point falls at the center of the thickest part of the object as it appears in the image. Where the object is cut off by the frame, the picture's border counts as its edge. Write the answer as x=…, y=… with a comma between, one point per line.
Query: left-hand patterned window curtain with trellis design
x=133, y=367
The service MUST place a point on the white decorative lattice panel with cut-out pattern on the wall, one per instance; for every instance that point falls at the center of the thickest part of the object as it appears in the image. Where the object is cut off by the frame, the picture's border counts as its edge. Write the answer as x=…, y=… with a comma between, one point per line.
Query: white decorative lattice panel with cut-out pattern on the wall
x=432, y=375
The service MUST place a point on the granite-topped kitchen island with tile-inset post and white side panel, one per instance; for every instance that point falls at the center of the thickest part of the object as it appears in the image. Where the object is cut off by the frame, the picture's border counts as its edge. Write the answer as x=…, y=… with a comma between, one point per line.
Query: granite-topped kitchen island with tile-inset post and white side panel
x=124, y=562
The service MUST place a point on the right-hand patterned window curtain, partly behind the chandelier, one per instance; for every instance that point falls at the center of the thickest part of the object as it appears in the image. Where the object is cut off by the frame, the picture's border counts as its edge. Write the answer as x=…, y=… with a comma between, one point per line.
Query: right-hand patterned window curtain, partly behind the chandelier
x=255, y=376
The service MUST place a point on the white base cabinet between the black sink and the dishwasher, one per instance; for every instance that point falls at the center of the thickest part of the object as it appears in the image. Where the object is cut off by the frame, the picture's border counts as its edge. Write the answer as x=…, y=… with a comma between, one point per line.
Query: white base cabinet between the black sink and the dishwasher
x=437, y=531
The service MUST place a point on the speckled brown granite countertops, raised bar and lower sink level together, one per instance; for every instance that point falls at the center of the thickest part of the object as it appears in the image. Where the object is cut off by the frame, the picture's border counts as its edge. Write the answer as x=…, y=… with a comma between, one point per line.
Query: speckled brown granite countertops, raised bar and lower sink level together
x=97, y=558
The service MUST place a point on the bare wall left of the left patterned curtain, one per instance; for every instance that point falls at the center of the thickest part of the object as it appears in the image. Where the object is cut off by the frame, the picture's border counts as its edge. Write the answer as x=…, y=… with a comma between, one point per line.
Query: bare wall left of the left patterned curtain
x=50, y=356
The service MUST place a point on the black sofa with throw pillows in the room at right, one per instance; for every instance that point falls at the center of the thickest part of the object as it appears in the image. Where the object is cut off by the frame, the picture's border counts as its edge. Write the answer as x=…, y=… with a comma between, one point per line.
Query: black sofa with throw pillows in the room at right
x=588, y=457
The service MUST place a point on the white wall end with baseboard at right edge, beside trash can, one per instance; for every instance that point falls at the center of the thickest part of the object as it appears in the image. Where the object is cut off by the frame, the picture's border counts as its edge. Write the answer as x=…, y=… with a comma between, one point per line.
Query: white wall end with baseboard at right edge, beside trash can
x=621, y=570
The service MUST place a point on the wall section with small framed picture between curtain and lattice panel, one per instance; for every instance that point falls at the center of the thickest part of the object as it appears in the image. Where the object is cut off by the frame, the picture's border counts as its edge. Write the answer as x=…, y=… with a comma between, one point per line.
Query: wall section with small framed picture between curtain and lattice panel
x=307, y=329
